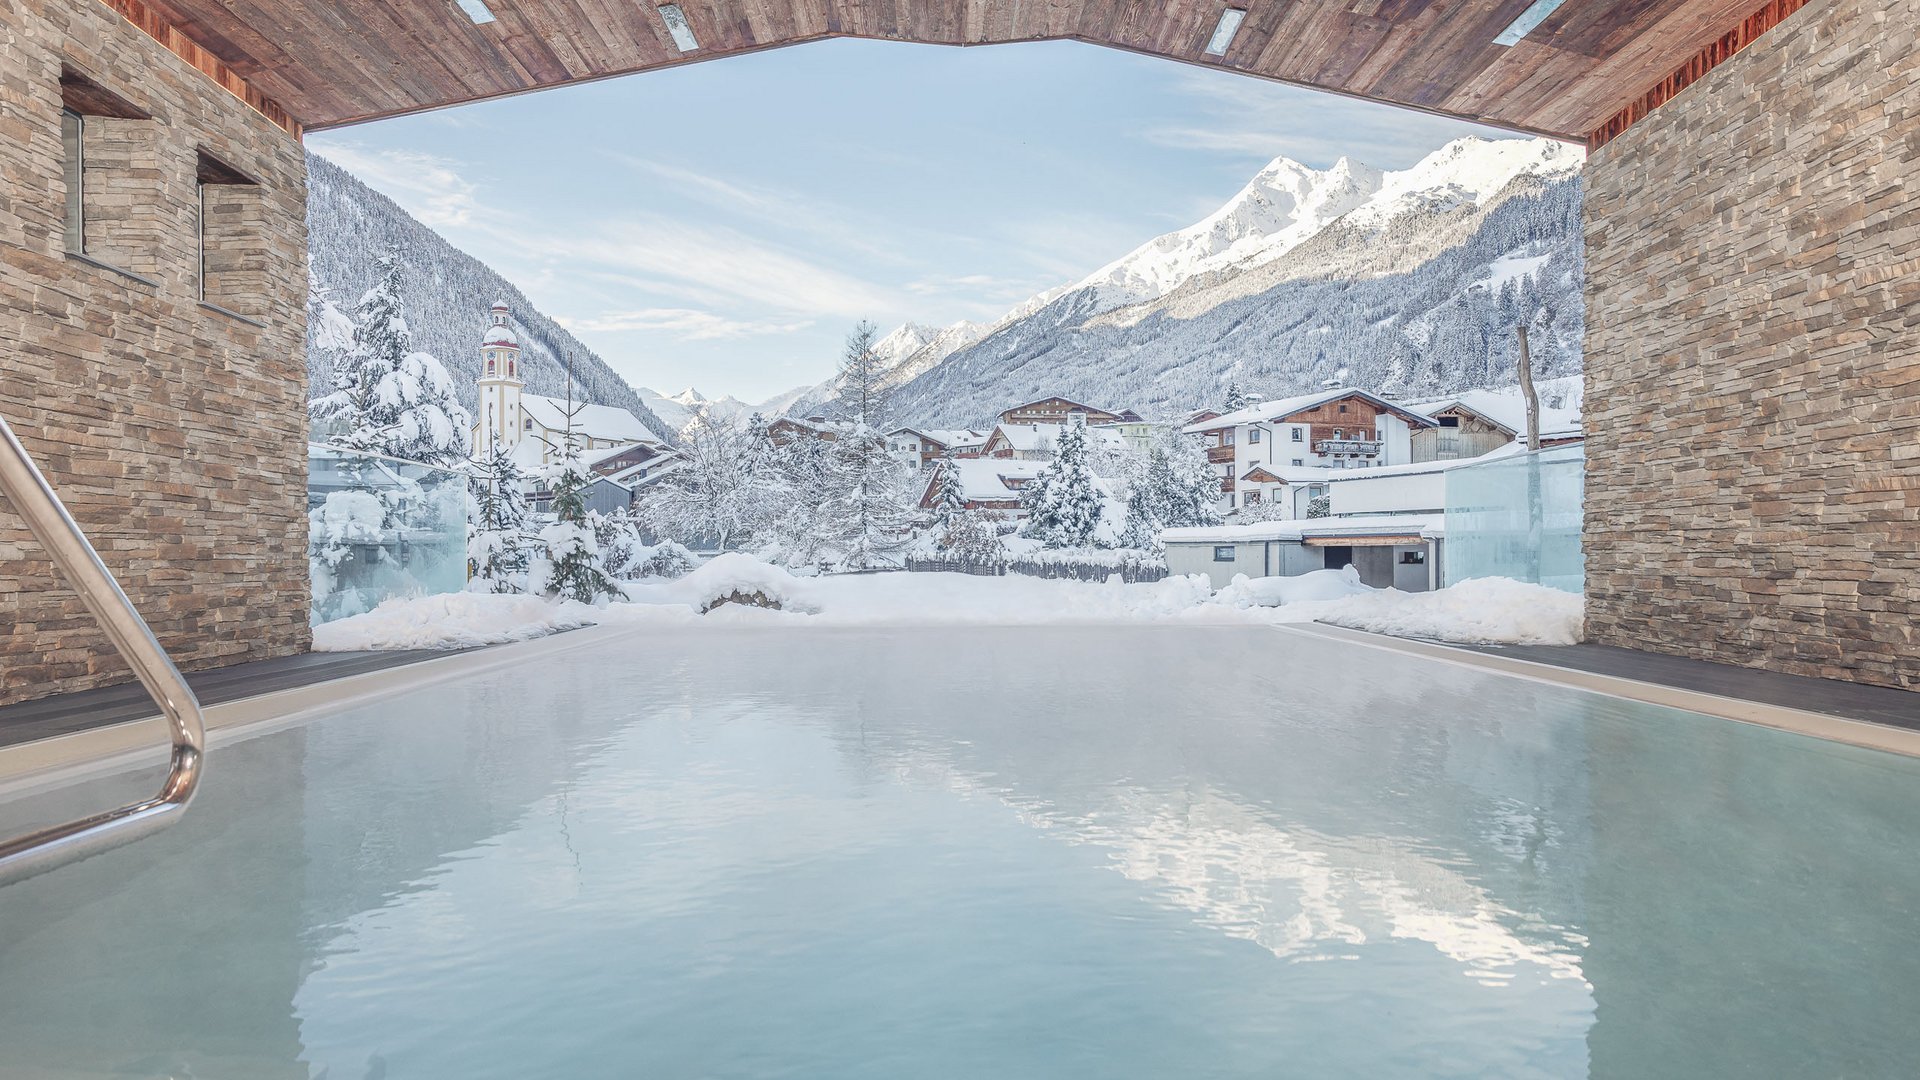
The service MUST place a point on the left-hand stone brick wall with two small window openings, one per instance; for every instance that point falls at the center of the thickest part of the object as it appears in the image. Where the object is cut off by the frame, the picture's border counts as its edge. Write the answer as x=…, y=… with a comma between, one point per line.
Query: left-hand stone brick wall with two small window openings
x=174, y=433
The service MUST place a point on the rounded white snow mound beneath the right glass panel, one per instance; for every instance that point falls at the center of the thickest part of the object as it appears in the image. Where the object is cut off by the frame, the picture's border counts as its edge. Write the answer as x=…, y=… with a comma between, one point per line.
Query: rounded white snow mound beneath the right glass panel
x=1481, y=612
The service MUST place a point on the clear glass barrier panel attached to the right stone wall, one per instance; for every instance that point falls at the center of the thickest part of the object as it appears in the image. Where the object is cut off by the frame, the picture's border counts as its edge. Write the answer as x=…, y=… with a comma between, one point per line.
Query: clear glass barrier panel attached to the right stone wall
x=1518, y=518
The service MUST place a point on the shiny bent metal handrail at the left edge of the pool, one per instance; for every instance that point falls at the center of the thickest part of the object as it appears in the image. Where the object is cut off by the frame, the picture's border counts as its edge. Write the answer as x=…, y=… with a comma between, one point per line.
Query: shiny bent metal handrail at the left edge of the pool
x=78, y=562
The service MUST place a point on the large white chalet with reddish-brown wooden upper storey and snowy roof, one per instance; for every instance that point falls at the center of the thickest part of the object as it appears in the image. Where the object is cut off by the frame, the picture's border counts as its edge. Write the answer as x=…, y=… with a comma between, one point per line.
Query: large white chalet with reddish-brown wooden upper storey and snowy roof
x=1330, y=430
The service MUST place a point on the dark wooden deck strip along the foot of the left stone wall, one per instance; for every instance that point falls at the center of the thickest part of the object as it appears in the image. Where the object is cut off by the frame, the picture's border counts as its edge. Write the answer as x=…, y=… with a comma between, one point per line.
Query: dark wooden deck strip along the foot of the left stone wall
x=66, y=714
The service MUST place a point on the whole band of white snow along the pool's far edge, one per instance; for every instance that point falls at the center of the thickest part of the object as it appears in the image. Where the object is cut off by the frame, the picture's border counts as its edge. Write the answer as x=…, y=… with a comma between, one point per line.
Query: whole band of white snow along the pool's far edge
x=1479, y=612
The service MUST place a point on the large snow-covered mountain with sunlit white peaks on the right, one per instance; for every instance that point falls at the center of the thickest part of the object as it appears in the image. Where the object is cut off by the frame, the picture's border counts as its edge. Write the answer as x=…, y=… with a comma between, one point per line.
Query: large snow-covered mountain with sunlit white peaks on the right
x=1401, y=282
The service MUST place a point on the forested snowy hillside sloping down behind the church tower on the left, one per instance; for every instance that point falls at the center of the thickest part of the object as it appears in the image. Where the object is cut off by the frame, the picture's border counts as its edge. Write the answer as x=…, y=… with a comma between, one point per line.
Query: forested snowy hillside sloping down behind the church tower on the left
x=446, y=291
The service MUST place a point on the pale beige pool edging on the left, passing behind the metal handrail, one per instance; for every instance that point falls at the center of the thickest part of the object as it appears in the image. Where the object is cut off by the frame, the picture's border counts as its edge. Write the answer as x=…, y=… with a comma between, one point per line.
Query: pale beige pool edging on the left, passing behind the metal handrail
x=66, y=758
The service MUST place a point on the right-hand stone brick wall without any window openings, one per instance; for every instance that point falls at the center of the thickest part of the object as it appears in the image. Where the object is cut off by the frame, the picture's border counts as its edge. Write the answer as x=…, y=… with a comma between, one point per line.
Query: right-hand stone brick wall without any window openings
x=1754, y=358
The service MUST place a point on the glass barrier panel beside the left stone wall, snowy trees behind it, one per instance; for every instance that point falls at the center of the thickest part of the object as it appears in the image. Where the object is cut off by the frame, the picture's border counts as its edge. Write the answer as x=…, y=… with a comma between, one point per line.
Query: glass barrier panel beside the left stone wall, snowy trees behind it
x=381, y=529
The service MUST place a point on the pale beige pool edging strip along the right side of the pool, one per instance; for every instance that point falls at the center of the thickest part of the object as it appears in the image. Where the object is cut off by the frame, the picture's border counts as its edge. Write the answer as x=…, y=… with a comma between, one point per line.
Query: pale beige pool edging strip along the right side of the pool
x=1867, y=735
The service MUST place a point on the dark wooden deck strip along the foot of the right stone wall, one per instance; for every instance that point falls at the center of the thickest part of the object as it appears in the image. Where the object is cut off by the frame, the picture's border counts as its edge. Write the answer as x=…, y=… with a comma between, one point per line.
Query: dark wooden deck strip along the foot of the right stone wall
x=1850, y=700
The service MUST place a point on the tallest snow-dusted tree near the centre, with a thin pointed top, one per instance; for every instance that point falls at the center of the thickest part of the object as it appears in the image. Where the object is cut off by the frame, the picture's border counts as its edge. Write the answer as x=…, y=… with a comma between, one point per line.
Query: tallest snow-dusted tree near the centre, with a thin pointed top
x=869, y=514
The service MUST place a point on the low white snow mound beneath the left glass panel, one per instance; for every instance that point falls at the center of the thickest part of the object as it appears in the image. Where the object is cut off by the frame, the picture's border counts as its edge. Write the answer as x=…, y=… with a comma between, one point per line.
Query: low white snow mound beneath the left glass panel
x=452, y=622
